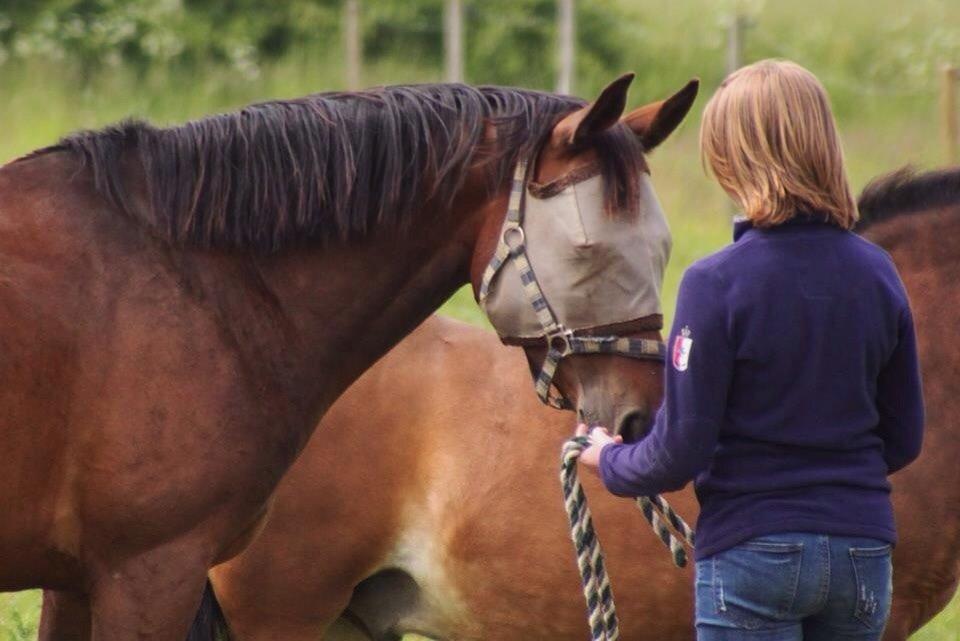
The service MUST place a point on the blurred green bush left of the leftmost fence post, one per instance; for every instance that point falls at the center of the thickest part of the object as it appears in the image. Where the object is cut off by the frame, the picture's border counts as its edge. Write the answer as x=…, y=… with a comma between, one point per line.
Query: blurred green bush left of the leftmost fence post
x=97, y=33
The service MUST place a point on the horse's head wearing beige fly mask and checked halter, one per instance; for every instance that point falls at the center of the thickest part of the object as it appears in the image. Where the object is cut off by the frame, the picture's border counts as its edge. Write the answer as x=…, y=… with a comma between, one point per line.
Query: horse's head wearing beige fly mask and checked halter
x=573, y=272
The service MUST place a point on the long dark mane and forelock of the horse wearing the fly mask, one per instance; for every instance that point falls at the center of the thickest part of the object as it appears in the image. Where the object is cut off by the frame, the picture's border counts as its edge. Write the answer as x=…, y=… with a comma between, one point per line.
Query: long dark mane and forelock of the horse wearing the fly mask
x=332, y=167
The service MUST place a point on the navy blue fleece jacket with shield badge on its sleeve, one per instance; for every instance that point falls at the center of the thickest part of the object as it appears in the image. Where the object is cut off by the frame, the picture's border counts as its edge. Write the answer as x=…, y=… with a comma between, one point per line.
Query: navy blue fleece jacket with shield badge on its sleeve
x=792, y=389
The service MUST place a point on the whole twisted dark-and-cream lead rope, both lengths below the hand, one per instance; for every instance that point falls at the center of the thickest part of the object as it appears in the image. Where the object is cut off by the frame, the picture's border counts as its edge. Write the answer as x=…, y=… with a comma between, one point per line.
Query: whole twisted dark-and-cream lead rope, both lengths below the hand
x=601, y=609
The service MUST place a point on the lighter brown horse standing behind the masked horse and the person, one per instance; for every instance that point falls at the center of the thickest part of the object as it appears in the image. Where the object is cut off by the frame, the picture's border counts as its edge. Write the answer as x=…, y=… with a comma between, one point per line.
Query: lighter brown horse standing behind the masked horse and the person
x=470, y=541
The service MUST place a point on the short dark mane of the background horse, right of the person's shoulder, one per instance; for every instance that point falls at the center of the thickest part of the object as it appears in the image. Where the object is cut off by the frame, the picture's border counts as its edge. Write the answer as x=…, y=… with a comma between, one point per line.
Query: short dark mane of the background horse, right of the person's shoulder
x=906, y=191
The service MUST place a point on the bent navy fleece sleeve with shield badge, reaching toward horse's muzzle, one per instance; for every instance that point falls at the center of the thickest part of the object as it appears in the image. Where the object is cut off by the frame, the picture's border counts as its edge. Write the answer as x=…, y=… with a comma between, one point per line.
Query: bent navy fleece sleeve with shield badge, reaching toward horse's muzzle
x=700, y=358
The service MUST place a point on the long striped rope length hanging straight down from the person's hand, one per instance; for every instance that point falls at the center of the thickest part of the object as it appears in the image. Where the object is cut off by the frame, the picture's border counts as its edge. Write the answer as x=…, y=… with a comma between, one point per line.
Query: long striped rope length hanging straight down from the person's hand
x=601, y=611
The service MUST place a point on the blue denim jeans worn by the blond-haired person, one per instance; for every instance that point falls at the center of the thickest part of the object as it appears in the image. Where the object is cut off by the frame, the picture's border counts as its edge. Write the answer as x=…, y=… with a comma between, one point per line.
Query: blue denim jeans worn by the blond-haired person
x=795, y=587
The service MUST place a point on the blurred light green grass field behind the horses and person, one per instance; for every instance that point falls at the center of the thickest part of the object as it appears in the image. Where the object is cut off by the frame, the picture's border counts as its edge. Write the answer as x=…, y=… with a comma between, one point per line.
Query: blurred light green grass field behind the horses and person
x=881, y=73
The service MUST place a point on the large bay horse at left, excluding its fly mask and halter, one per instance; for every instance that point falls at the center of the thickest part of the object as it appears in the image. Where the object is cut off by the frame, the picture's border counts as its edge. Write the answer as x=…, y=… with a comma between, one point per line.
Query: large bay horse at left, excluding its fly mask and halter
x=179, y=307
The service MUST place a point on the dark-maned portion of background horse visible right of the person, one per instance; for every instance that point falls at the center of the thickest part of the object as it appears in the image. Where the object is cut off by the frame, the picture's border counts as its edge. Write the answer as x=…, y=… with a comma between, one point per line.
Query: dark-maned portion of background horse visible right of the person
x=917, y=219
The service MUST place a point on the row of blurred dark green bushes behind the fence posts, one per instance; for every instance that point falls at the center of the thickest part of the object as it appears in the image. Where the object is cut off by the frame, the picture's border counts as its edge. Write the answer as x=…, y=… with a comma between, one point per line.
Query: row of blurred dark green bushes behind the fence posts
x=508, y=40
